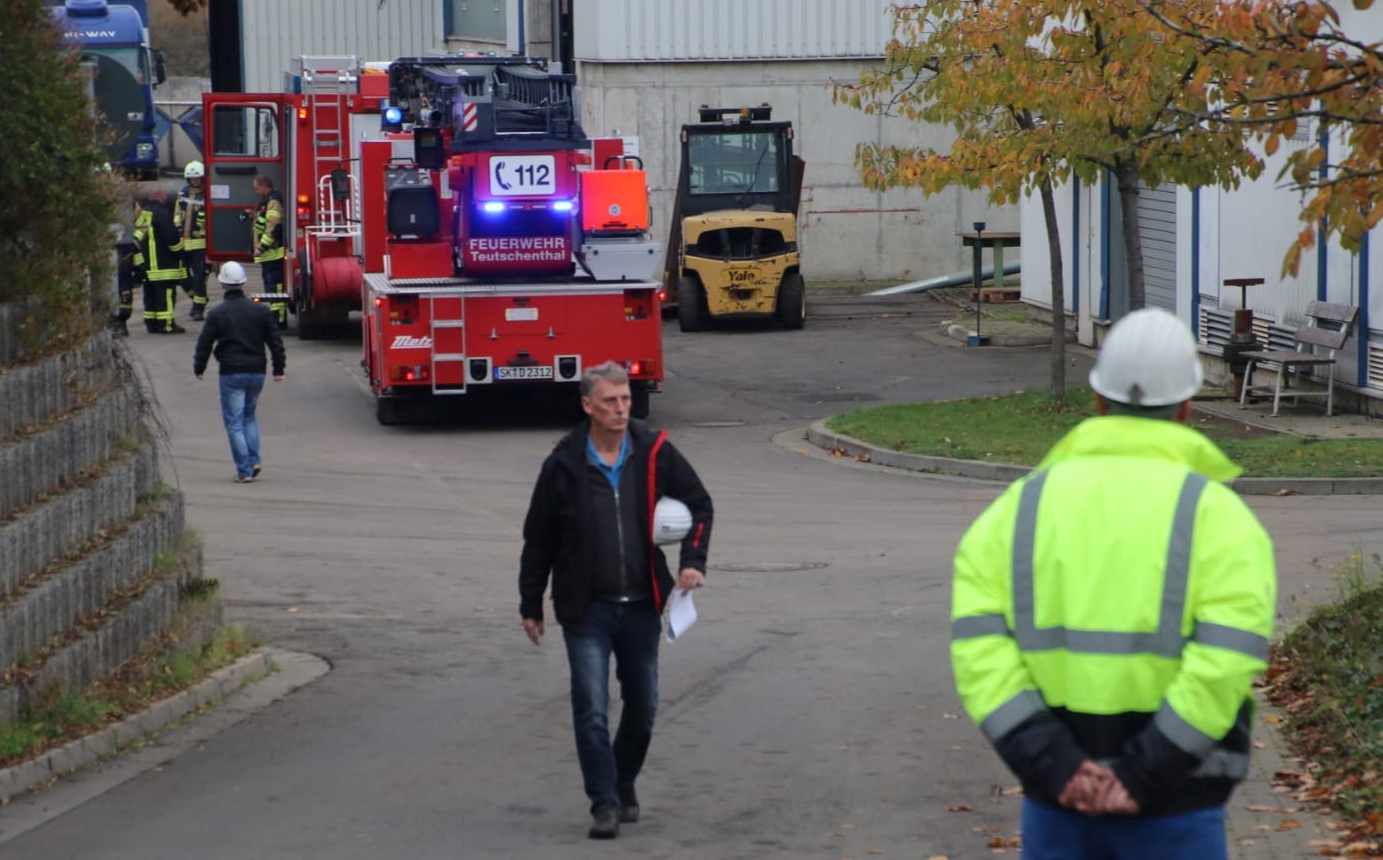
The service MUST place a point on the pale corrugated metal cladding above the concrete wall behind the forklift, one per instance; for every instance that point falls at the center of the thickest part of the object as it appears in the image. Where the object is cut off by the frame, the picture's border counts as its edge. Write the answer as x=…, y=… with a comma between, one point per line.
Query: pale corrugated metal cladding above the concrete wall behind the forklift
x=656, y=31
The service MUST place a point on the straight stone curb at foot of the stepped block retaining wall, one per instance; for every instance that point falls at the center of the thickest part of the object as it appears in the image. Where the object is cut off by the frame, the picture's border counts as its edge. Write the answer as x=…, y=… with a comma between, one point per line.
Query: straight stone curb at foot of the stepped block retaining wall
x=85, y=751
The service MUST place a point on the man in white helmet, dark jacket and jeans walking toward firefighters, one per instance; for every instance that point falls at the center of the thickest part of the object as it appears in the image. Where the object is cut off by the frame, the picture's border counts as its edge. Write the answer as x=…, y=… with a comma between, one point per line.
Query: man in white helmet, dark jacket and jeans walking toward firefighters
x=240, y=330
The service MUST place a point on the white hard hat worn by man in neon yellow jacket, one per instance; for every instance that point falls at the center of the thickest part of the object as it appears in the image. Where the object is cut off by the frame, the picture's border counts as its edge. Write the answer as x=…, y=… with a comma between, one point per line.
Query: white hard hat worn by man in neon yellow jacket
x=1149, y=360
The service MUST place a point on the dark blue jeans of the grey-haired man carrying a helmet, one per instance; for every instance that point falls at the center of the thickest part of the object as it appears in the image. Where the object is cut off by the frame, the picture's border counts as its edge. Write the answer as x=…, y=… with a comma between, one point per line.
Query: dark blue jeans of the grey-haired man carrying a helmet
x=631, y=633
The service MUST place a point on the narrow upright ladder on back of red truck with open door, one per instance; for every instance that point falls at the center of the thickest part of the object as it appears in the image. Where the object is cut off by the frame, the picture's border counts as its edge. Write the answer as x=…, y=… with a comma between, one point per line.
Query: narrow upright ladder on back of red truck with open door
x=330, y=84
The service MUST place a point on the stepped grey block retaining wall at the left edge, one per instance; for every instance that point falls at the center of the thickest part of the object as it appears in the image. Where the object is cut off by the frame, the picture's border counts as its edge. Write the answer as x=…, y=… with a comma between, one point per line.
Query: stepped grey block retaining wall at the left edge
x=95, y=558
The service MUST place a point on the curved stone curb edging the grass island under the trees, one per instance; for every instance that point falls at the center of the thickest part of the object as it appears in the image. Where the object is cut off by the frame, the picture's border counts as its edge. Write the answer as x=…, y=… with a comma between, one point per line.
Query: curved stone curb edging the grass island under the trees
x=819, y=436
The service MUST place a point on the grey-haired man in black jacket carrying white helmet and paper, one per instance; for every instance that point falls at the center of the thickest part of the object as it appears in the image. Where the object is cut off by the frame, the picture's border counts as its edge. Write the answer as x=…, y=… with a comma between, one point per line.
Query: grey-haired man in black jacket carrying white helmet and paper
x=590, y=527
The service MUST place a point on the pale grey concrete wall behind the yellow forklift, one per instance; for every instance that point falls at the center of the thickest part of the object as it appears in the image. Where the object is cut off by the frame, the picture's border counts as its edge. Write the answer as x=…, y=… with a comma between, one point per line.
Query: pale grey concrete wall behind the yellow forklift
x=847, y=232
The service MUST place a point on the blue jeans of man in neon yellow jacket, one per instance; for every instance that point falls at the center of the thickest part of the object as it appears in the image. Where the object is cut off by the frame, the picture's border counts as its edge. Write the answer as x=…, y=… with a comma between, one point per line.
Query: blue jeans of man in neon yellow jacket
x=1061, y=834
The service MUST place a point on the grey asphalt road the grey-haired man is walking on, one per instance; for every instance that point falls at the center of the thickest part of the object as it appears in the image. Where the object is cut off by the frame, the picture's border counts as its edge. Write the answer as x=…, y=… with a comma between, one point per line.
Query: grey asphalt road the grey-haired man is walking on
x=810, y=714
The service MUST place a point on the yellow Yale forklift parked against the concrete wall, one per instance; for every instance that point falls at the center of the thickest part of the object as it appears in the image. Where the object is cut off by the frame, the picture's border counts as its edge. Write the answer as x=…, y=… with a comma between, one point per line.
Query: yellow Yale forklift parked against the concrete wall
x=734, y=247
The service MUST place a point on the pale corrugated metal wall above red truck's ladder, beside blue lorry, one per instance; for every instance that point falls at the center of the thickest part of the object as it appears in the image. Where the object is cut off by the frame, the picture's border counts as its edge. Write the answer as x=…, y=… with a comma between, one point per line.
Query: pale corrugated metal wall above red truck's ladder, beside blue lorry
x=276, y=31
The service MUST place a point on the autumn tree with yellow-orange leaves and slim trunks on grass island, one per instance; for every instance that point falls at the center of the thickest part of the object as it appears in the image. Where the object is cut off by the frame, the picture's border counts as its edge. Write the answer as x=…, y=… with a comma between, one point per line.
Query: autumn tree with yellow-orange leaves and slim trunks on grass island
x=1045, y=91
